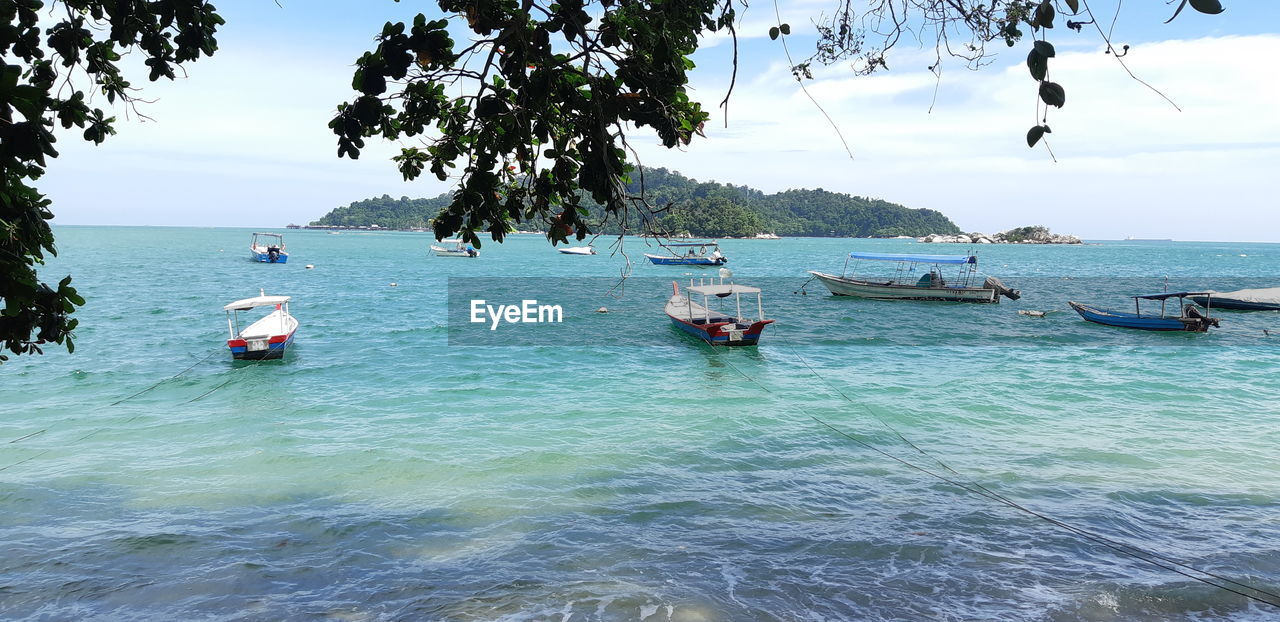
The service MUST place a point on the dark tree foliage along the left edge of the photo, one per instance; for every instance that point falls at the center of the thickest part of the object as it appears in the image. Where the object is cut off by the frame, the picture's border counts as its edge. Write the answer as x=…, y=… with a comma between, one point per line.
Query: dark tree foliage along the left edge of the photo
x=52, y=65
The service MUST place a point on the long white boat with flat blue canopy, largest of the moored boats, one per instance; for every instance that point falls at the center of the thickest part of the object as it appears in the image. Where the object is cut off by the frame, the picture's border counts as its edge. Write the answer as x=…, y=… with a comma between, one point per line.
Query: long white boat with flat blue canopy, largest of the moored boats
x=906, y=286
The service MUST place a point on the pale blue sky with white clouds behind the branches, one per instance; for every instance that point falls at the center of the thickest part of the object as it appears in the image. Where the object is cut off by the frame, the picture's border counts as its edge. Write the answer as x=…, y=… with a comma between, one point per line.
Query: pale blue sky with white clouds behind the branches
x=243, y=140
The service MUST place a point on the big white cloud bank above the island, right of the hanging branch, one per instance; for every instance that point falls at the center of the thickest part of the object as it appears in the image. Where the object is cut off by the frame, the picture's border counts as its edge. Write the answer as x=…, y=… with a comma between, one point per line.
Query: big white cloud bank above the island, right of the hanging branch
x=1124, y=154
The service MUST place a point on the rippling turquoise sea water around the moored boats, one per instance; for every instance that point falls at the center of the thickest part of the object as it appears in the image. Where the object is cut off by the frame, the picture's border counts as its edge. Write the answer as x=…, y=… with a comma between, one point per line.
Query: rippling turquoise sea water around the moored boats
x=616, y=469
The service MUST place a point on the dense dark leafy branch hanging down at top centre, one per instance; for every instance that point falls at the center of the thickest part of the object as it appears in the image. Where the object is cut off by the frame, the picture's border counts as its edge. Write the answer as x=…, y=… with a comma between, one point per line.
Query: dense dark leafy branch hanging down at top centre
x=543, y=117
